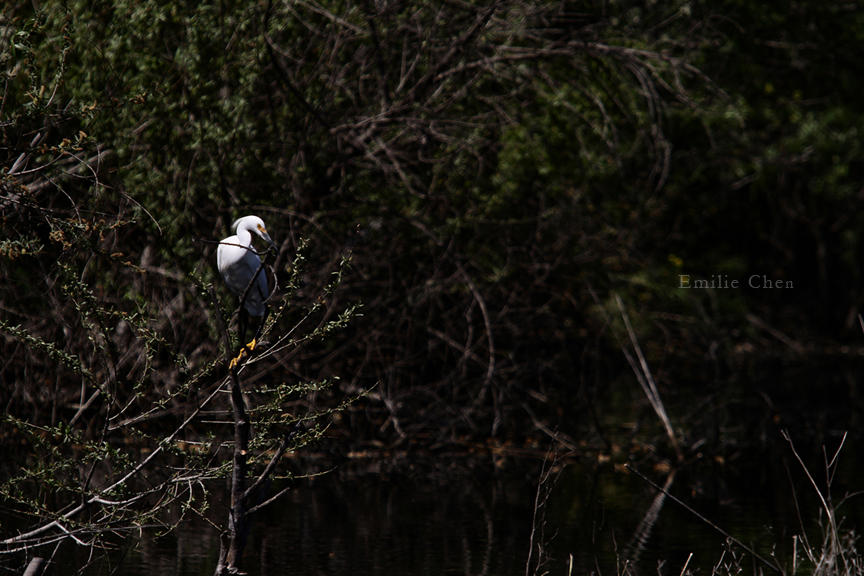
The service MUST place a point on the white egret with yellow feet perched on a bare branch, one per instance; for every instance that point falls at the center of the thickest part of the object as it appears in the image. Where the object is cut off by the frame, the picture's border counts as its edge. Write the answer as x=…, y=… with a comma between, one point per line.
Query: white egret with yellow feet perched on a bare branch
x=246, y=276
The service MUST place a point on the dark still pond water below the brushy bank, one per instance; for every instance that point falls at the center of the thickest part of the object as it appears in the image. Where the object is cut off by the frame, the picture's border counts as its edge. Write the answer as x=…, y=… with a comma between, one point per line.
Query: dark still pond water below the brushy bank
x=453, y=514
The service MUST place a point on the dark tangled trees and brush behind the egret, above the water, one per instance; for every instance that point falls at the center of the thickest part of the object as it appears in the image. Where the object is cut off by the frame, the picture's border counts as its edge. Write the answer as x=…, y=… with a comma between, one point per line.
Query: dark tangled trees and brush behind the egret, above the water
x=500, y=174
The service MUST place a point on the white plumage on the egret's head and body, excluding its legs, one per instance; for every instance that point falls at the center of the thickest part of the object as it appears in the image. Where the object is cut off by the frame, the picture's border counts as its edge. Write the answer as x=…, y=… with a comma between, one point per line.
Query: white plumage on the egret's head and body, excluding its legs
x=239, y=263
